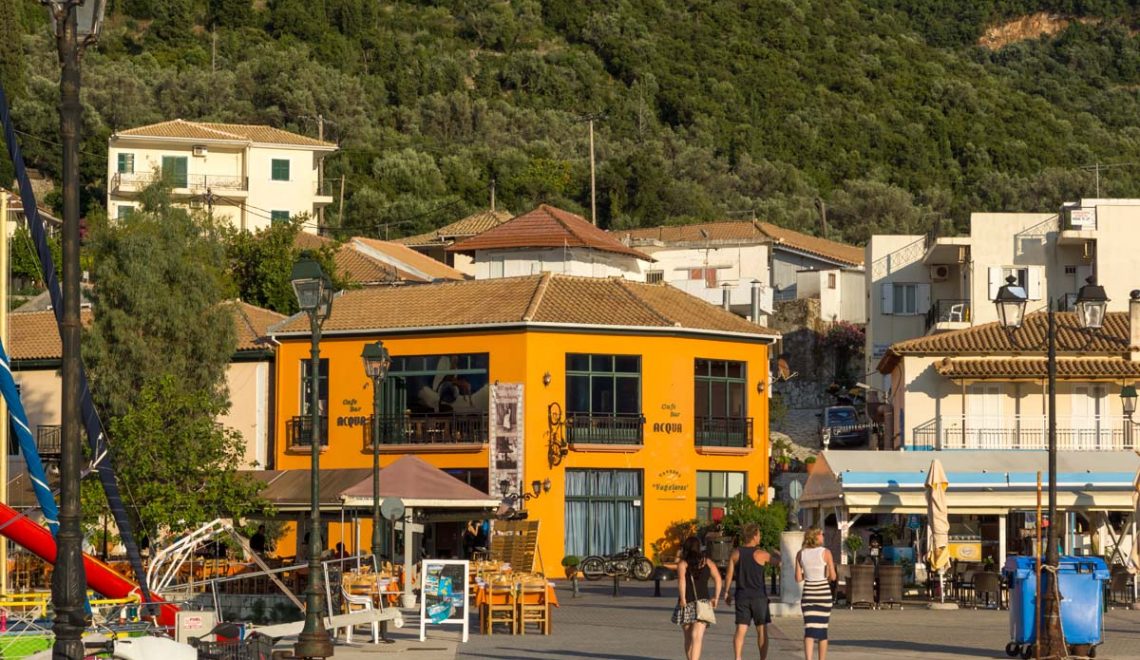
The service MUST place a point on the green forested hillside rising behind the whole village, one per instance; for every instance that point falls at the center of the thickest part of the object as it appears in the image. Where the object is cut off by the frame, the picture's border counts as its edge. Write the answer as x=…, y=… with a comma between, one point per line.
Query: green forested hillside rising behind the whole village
x=887, y=112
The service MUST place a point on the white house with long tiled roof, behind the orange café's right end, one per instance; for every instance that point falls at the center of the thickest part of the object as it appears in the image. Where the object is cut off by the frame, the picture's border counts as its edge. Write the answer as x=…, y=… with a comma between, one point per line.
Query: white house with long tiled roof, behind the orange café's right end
x=715, y=260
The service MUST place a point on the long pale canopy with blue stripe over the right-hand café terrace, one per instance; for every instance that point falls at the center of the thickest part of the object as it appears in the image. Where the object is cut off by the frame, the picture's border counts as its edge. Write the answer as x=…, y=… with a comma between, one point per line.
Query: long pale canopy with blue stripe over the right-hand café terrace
x=981, y=483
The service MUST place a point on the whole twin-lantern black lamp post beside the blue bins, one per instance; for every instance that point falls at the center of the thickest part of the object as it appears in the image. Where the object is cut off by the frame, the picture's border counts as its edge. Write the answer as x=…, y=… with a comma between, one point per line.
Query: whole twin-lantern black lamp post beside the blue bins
x=1092, y=304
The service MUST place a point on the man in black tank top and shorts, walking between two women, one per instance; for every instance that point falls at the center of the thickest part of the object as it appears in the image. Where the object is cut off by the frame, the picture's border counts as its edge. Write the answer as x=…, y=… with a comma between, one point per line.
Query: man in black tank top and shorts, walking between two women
x=752, y=598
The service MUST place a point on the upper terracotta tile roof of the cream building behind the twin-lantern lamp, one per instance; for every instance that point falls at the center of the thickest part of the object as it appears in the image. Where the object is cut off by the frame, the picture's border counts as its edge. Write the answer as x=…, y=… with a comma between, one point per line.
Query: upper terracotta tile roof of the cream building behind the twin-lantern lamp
x=994, y=340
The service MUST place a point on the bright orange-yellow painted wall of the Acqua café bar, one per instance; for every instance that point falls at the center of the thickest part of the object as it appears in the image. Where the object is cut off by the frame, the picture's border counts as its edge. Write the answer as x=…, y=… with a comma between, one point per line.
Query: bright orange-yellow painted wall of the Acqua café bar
x=667, y=397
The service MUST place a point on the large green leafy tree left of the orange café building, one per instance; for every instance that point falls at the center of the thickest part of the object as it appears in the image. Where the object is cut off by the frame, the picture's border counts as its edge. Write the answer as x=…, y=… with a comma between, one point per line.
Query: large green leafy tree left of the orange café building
x=158, y=354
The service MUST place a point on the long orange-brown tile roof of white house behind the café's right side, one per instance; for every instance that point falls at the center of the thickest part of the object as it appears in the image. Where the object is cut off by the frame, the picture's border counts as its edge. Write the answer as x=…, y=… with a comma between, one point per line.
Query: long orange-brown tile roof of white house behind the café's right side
x=744, y=232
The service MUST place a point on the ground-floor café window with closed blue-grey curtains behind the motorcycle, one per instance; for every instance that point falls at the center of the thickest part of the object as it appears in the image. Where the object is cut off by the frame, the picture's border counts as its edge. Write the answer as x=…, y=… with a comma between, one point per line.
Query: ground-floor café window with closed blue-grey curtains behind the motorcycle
x=604, y=511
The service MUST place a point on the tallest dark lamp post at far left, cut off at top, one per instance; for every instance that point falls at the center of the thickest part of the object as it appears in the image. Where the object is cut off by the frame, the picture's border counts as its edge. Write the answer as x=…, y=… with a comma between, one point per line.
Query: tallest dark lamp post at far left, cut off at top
x=77, y=25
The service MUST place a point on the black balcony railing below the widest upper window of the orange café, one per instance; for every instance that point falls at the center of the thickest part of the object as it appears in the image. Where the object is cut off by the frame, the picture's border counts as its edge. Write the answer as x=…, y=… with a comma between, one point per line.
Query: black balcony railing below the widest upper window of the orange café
x=429, y=433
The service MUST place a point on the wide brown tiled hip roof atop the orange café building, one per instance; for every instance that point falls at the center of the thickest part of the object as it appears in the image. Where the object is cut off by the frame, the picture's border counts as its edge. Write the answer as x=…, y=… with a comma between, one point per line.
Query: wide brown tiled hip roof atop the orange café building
x=536, y=299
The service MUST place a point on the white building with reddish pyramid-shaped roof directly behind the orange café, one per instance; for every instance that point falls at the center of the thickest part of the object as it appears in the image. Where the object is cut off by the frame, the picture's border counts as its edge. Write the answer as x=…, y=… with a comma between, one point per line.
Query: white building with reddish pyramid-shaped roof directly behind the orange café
x=550, y=240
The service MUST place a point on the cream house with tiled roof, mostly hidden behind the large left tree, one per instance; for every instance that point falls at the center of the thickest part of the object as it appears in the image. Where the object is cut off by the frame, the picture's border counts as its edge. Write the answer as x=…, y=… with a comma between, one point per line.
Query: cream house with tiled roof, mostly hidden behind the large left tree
x=36, y=353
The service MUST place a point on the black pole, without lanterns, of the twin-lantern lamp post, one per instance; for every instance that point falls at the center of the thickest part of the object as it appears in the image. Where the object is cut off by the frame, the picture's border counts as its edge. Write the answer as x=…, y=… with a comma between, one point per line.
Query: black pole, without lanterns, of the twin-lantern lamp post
x=1052, y=640
